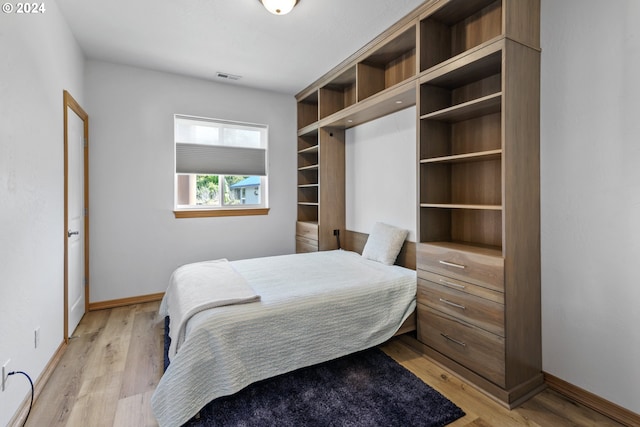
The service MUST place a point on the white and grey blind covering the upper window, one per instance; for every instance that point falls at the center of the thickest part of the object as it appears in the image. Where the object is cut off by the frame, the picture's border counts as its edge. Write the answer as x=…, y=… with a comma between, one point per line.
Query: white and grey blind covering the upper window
x=207, y=146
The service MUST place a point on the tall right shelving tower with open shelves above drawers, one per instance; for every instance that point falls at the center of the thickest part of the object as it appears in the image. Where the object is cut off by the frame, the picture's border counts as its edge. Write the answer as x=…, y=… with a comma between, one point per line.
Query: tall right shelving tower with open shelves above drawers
x=478, y=258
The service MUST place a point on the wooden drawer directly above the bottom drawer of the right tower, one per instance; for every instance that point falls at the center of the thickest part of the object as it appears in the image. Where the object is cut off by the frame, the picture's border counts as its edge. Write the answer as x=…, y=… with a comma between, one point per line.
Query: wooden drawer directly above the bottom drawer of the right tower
x=483, y=313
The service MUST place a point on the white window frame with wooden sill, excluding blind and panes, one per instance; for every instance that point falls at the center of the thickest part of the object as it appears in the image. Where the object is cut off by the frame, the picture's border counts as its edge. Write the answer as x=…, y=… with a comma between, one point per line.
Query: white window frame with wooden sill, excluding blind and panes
x=202, y=211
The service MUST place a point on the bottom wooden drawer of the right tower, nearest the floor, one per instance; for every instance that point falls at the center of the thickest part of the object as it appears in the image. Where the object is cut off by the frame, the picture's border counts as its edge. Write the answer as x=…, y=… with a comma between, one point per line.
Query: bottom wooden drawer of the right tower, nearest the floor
x=478, y=350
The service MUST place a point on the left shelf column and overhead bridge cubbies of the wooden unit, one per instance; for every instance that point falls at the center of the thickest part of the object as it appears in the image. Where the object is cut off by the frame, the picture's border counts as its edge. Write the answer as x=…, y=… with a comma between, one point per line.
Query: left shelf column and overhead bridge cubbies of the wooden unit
x=373, y=83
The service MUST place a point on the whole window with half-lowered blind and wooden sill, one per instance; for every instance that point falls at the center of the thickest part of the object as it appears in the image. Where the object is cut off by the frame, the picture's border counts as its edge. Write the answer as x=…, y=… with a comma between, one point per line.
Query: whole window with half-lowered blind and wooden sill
x=221, y=167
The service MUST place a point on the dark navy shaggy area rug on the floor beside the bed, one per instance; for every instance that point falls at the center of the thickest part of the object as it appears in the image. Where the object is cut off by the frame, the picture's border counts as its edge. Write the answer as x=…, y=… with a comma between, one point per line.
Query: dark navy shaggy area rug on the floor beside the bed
x=367, y=388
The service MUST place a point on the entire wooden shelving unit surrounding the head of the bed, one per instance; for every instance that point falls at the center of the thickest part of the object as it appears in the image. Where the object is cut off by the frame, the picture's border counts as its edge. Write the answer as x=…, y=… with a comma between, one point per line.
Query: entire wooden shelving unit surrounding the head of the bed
x=472, y=68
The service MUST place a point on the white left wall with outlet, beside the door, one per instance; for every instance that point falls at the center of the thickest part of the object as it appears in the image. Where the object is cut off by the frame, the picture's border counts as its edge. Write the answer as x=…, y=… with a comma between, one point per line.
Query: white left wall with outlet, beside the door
x=39, y=59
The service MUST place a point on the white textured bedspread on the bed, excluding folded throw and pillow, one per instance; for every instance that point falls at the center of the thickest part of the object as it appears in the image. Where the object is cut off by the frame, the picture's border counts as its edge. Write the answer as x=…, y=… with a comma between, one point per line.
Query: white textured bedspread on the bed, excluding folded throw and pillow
x=314, y=307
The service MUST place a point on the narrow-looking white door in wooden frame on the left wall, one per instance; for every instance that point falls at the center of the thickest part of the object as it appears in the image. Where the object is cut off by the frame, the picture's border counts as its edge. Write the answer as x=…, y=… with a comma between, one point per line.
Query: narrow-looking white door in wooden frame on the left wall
x=75, y=220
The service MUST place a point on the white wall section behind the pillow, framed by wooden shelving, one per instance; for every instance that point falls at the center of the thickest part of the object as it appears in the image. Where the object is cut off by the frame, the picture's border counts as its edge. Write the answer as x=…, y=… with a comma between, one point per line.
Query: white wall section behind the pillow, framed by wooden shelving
x=381, y=173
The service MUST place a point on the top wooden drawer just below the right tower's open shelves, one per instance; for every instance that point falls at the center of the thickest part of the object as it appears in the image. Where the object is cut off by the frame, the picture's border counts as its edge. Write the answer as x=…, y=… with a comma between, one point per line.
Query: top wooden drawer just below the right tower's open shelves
x=481, y=267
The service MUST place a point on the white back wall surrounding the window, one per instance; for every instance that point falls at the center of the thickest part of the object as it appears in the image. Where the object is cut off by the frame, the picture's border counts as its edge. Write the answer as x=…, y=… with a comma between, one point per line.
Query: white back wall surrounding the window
x=135, y=240
